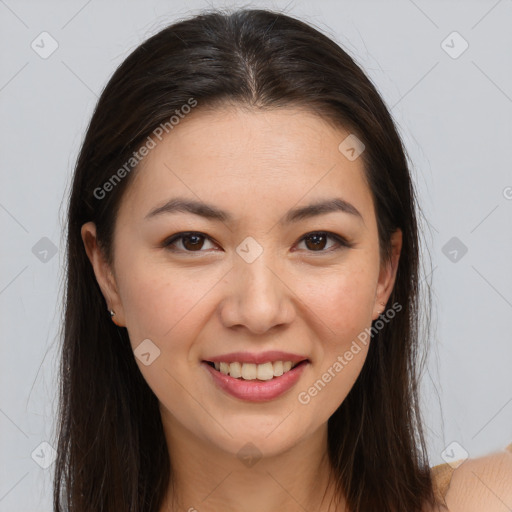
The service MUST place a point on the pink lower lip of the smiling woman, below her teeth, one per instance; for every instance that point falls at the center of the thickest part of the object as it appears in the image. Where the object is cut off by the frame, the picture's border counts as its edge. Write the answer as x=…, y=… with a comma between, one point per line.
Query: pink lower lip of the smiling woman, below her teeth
x=257, y=390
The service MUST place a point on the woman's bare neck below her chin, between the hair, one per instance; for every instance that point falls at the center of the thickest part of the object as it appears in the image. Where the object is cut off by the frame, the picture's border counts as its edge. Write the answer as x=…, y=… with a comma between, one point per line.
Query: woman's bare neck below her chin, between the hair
x=206, y=478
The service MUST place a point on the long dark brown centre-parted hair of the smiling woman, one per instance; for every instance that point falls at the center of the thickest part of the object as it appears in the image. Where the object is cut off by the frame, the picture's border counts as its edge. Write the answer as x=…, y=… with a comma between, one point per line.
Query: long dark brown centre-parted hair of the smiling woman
x=112, y=454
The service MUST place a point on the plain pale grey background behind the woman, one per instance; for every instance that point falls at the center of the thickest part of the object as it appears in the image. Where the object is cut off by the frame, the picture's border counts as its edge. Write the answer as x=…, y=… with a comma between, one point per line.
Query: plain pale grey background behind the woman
x=453, y=113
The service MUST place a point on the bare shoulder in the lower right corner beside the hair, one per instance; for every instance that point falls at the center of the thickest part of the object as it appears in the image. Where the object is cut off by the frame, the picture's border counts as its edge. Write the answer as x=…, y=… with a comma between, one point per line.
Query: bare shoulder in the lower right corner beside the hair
x=476, y=485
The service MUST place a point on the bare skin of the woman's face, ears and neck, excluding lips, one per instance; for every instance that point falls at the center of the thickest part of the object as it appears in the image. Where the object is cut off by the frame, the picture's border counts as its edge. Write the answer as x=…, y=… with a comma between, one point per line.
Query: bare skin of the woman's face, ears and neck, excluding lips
x=296, y=296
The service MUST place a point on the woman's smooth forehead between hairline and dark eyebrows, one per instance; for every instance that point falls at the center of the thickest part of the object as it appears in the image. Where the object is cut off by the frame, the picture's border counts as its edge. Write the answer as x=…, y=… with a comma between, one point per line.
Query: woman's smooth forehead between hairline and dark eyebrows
x=241, y=158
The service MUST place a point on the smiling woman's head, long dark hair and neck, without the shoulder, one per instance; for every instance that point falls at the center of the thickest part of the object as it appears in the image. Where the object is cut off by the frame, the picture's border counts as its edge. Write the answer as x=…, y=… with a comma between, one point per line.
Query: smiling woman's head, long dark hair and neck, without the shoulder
x=242, y=324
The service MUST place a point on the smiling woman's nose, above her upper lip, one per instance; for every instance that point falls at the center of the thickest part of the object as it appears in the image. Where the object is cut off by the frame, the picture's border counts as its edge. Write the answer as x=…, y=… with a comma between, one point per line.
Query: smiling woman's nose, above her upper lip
x=257, y=297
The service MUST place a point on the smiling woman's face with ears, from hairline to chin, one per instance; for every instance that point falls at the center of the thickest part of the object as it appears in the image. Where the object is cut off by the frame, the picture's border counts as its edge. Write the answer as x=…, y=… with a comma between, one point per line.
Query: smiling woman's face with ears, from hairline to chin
x=250, y=282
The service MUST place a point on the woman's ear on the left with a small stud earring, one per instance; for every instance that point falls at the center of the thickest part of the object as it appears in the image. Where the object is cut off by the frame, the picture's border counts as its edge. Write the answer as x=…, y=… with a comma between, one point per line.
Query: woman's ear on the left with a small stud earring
x=103, y=272
